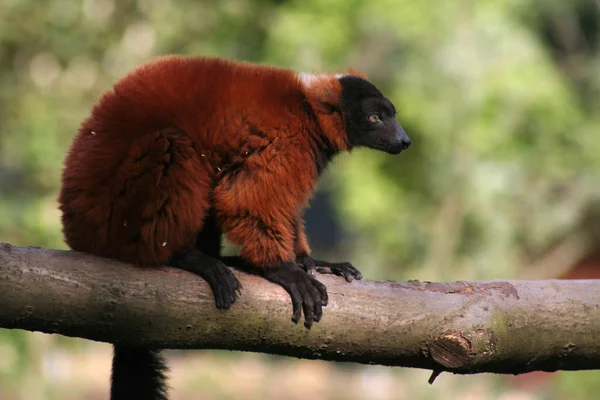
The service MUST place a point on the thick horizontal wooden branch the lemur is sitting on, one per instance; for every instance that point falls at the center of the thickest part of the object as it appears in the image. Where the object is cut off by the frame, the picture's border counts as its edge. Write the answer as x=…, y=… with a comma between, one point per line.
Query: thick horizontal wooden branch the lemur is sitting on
x=493, y=326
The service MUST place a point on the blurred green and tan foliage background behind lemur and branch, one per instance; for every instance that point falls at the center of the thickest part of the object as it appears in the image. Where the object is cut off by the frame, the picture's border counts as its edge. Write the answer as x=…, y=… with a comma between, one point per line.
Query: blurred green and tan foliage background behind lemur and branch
x=500, y=97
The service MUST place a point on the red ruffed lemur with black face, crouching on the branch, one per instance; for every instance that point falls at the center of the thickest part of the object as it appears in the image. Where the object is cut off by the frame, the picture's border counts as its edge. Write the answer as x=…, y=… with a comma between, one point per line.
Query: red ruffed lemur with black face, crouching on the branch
x=186, y=148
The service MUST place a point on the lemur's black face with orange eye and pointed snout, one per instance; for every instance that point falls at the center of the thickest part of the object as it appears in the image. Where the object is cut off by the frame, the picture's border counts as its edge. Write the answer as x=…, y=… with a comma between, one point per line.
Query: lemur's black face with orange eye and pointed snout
x=370, y=117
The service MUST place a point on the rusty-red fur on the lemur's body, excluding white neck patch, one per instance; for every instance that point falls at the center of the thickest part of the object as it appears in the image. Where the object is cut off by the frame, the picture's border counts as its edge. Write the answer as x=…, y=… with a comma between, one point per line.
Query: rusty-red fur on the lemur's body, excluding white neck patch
x=181, y=136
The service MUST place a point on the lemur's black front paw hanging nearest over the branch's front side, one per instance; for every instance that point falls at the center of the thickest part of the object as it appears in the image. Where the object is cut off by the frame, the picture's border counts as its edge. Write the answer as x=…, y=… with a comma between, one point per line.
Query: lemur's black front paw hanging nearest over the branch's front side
x=307, y=293
